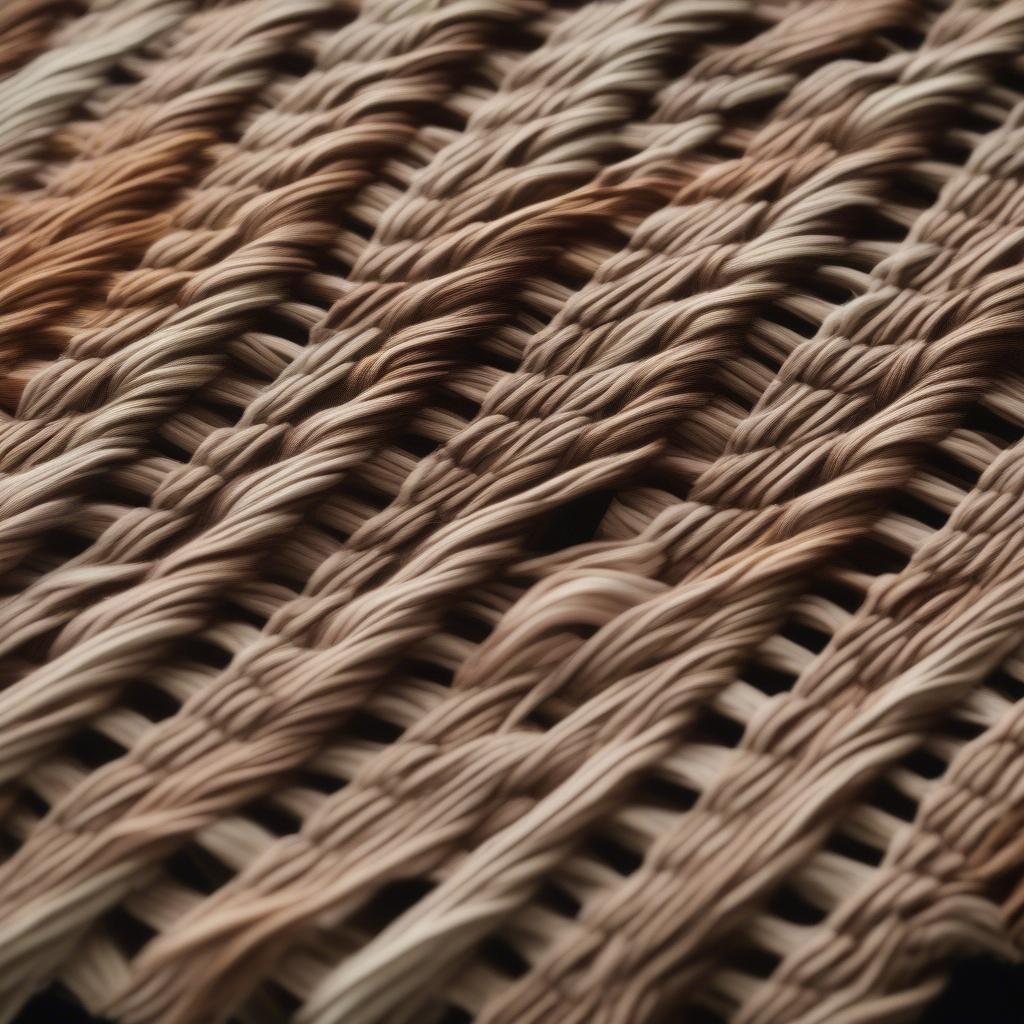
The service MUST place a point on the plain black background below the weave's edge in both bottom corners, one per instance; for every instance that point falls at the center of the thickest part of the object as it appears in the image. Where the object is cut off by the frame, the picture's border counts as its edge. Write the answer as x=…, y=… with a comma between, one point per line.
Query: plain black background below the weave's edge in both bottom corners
x=982, y=992
